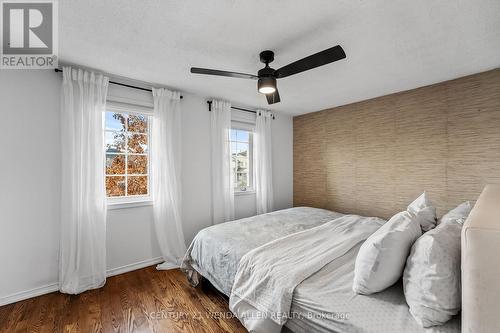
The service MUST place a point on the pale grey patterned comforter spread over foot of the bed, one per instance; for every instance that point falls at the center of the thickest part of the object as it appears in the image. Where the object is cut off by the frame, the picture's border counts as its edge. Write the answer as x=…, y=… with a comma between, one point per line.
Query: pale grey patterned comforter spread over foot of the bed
x=216, y=251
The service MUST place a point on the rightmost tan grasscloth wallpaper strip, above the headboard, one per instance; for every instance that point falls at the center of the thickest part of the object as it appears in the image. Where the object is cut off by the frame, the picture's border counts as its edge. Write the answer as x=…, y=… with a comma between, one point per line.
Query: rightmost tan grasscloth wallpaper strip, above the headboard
x=474, y=134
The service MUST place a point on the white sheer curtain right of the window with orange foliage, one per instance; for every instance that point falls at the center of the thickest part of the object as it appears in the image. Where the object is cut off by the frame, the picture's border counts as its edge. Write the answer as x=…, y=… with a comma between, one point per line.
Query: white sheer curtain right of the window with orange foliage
x=166, y=176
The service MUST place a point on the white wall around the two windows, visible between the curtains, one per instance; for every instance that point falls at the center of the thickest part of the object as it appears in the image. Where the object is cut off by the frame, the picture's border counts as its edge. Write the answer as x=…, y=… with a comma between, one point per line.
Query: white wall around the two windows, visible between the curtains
x=29, y=185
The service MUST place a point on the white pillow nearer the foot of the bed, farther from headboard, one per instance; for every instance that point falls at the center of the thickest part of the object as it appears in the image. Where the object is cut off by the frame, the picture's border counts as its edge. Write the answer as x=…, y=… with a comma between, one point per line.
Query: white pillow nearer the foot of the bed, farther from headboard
x=381, y=258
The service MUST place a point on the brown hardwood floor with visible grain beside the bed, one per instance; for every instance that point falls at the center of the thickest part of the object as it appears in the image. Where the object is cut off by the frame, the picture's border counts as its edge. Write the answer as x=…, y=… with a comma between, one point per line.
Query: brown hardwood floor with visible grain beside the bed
x=143, y=301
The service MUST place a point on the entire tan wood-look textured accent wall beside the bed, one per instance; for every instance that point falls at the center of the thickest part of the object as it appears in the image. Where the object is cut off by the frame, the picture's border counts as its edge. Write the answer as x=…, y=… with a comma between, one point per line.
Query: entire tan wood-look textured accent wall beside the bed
x=374, y=157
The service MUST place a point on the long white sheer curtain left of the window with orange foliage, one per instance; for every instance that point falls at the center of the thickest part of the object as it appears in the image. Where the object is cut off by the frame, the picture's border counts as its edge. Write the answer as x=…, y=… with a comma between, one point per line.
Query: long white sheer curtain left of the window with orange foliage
x=82, y=260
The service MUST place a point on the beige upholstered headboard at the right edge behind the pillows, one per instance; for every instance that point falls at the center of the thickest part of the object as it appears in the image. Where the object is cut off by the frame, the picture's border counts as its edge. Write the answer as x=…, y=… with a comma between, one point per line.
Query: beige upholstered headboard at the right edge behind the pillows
x=481, y=265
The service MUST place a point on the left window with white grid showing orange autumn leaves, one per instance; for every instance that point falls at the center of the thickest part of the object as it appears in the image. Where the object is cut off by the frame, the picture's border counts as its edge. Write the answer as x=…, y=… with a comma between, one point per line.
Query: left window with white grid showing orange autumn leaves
x=127, y=138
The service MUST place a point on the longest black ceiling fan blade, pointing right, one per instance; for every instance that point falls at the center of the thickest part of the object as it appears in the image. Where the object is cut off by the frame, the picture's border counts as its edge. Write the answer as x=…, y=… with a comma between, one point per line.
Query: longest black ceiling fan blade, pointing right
x=319, y=59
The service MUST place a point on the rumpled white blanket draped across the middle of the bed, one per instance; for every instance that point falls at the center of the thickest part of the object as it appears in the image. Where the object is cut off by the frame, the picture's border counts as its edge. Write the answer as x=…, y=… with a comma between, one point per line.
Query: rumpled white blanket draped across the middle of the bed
x=267, y=276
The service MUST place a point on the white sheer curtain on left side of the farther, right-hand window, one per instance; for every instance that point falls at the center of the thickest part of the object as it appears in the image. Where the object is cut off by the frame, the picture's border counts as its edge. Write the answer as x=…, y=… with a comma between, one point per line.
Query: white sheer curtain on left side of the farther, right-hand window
x=222, y=180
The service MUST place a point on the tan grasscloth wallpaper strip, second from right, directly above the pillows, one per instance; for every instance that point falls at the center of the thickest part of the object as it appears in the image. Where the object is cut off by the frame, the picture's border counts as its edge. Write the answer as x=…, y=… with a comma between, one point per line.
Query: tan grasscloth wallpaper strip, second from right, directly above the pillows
x=421, y=146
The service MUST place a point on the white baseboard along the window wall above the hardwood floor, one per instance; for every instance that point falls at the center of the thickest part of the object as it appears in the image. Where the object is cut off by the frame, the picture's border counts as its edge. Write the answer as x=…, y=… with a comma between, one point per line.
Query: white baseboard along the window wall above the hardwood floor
x=22, y=295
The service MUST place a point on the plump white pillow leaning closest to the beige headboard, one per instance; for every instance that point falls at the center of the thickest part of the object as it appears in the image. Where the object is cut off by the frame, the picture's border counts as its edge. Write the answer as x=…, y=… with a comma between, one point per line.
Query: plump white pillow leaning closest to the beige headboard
x=431, y=279
